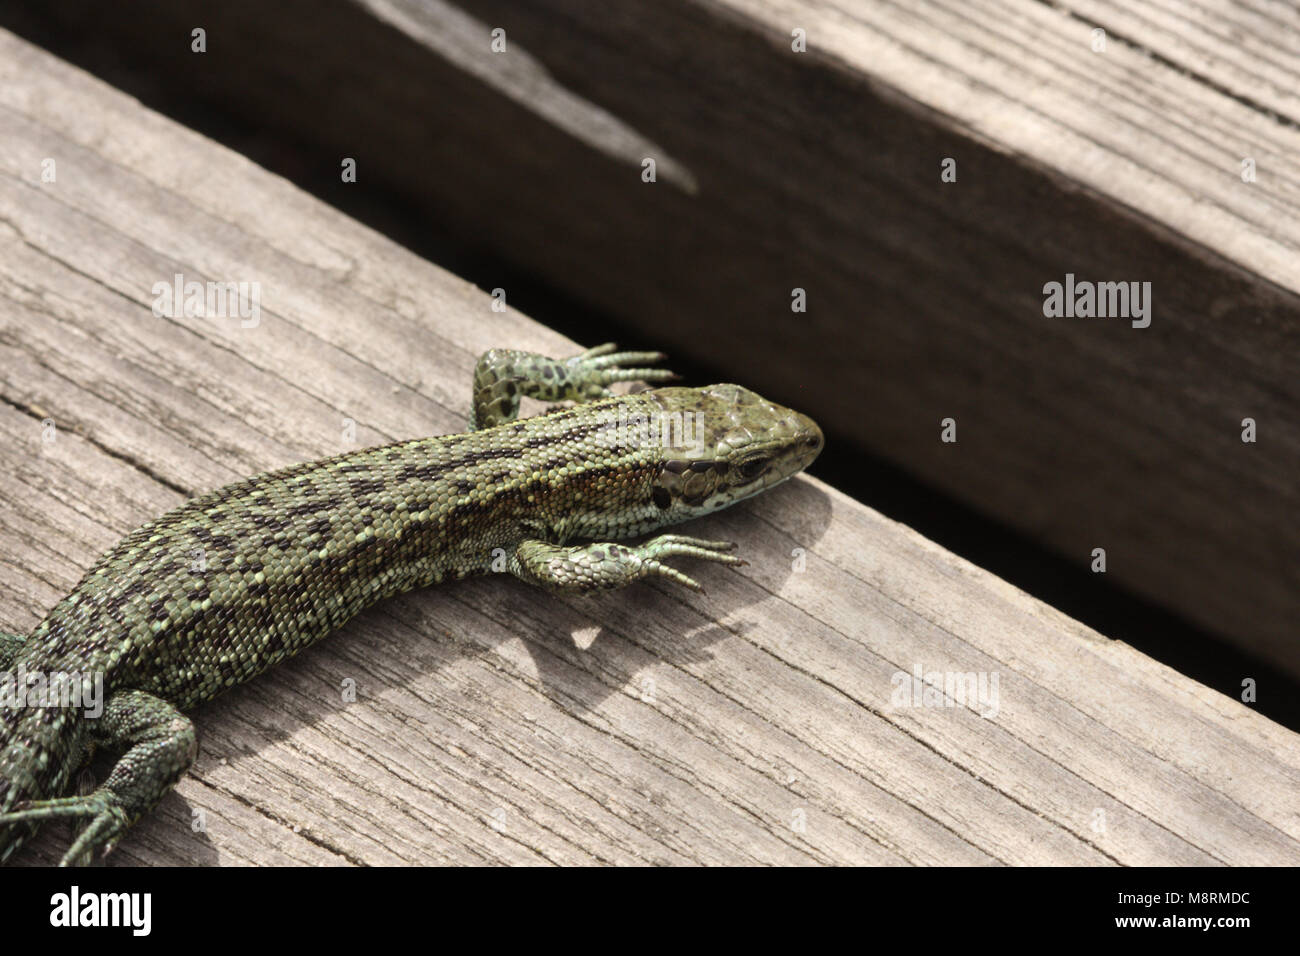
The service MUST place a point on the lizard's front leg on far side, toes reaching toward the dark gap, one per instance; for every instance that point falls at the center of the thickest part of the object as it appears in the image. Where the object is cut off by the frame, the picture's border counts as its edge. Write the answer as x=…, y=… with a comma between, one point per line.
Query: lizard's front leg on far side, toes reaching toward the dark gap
x=505, y=375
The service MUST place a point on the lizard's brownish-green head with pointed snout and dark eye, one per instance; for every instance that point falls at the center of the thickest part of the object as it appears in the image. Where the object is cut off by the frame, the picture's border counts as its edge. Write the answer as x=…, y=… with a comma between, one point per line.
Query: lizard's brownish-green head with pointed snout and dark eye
x=723, y=444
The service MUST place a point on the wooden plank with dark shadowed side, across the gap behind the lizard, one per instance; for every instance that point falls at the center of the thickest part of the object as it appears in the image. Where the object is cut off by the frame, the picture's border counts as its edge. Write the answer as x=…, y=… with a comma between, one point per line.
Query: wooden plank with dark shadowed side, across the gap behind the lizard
x=822, y=171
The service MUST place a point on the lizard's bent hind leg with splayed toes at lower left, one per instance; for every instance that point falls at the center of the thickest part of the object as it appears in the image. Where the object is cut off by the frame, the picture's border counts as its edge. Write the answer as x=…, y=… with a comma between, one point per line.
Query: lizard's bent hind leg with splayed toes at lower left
x=161, y=747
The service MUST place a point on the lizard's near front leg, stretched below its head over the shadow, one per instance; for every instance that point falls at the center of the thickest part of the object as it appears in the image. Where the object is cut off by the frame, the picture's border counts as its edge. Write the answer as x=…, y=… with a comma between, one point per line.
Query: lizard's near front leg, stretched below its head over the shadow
x=609, y=565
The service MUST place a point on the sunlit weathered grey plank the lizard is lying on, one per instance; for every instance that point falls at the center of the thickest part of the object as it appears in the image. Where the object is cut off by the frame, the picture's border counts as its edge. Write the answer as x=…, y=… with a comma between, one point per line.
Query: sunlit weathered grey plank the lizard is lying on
x=493, y=723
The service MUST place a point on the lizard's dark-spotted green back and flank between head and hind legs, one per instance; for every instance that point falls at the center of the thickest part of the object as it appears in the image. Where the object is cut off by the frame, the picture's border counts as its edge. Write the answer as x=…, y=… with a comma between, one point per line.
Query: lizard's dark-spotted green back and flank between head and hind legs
x=233, y=582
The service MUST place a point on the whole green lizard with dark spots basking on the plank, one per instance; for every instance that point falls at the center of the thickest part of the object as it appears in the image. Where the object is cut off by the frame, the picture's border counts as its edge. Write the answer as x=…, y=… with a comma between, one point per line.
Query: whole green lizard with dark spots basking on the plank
x=293, y=555
